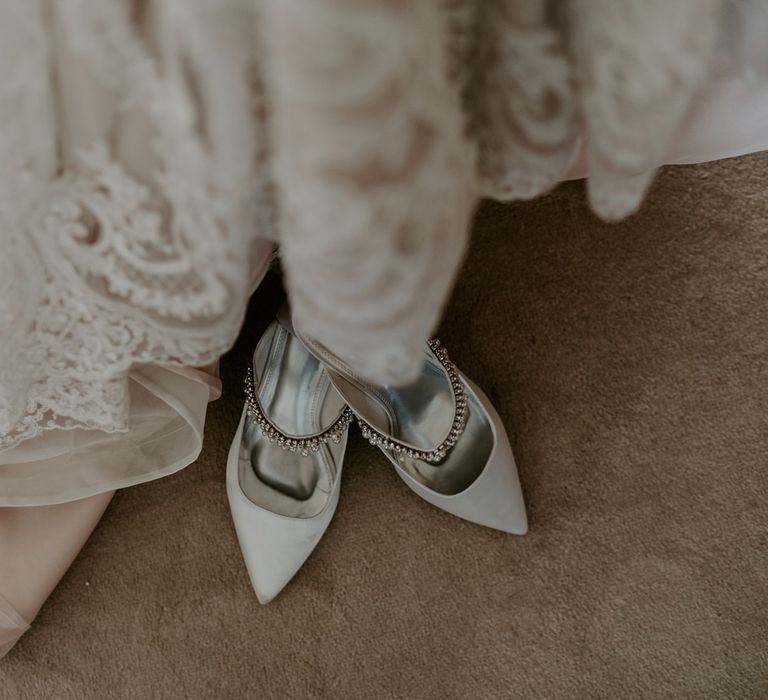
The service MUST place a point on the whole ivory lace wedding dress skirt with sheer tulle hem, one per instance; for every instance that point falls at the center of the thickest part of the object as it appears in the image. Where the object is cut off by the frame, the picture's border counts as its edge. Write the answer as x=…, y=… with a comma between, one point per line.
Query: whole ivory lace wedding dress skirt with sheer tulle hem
x=153, y=150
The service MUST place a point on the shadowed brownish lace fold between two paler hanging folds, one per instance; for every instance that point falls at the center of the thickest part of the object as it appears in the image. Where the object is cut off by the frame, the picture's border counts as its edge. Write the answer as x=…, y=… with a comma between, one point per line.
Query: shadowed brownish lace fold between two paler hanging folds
x=522, y=101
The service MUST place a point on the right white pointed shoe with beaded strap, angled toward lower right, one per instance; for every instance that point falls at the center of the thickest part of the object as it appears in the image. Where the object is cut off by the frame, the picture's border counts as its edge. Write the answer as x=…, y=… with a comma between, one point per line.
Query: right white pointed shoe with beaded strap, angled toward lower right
x=442, y=435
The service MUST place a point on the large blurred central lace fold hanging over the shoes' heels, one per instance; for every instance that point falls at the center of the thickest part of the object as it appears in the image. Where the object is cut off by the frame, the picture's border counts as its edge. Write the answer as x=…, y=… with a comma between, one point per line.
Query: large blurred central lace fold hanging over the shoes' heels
x=375, y=214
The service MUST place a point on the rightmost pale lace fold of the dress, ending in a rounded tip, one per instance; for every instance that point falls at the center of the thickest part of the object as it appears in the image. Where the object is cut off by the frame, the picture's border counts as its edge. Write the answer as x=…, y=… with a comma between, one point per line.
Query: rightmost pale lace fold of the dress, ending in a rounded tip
x=639, y=64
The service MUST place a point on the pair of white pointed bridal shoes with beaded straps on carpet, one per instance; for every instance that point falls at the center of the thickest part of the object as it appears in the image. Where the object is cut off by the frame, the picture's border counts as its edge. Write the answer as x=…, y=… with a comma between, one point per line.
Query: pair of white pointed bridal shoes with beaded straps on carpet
x=441, y=434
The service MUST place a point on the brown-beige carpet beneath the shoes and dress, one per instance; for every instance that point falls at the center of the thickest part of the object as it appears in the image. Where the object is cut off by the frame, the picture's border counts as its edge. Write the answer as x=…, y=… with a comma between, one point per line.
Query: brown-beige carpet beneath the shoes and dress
x=630, y=365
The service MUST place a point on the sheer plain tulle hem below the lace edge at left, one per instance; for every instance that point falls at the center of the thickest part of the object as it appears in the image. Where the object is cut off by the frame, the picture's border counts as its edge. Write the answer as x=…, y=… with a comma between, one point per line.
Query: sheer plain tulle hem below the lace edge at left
x=164, y=434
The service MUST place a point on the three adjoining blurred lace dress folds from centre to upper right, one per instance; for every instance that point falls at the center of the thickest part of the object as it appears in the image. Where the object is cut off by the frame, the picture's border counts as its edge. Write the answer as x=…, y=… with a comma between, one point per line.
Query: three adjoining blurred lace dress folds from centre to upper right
x=370, y=159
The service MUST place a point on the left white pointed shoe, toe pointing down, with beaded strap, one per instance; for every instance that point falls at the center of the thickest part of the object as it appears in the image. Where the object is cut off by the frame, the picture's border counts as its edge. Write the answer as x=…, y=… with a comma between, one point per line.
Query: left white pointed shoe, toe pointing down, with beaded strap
x=285, y=462
